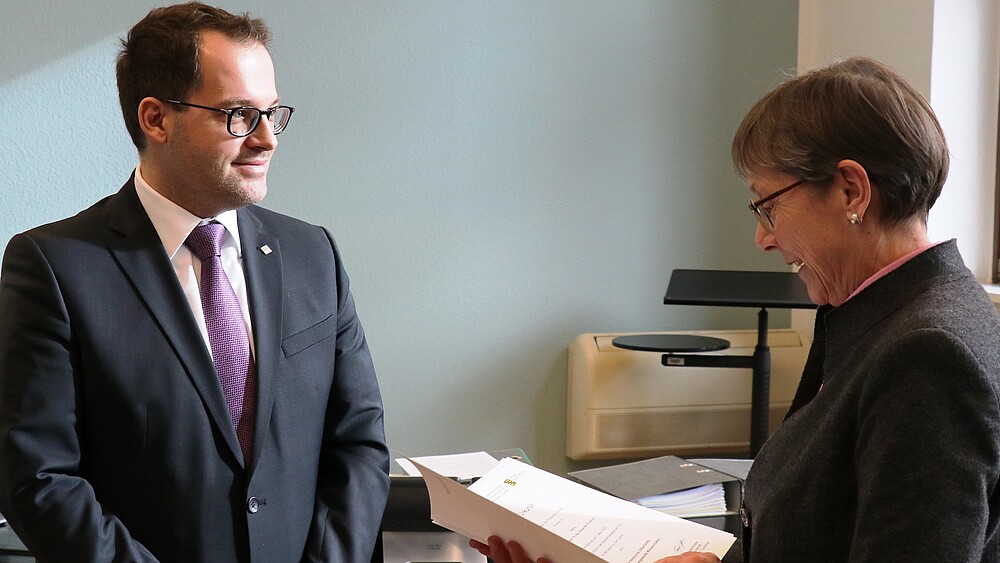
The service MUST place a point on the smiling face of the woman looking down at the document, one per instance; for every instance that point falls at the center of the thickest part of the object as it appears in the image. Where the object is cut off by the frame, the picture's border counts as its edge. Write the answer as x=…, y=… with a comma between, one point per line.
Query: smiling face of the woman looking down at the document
x=809, y=231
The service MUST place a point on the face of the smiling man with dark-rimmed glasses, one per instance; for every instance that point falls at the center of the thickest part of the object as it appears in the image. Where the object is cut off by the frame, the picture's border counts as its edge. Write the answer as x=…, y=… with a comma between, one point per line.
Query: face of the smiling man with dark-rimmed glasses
x=209, y=170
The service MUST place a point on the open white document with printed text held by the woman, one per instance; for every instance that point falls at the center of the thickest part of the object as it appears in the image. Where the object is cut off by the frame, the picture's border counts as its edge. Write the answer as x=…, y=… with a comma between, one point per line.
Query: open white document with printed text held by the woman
x=563, y=520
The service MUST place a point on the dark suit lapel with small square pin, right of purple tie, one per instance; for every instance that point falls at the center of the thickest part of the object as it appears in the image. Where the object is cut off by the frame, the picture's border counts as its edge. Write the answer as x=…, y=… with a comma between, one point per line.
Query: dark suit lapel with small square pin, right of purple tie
x=263, y=271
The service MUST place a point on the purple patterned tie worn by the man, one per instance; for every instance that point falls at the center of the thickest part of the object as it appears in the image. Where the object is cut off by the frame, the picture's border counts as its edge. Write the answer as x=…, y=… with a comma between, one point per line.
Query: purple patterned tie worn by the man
x=227, y=332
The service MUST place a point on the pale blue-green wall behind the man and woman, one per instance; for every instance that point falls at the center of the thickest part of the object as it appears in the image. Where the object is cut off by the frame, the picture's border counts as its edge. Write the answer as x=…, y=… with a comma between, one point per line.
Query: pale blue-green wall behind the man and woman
x=501, y=176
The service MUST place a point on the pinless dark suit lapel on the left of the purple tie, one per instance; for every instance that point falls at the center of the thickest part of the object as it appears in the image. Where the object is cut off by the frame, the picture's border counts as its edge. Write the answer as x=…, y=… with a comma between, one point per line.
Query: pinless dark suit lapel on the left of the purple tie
x=140, y=253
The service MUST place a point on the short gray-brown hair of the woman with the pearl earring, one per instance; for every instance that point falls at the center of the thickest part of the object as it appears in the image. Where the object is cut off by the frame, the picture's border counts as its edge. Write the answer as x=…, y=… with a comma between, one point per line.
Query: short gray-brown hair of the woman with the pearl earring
x=857, y=109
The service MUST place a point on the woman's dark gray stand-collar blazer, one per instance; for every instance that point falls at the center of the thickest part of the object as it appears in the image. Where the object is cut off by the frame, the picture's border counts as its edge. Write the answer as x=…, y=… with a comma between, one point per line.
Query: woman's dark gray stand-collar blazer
x=897, y=457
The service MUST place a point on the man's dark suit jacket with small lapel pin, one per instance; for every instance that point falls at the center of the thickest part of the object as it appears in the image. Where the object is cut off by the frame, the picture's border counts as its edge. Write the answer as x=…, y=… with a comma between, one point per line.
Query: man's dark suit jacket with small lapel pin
x=115, y=441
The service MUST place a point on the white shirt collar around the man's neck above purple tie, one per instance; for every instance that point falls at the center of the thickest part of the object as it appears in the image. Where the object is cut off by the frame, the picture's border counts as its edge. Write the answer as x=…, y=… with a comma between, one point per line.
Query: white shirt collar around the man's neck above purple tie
x=173, y=223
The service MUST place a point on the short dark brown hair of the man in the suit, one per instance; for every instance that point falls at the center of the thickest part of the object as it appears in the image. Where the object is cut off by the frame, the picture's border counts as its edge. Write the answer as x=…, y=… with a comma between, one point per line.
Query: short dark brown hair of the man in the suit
x=160, y=55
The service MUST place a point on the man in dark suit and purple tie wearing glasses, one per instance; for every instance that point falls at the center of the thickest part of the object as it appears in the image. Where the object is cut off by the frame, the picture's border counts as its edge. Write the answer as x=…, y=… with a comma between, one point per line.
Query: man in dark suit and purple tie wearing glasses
x=132, y=427
